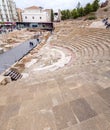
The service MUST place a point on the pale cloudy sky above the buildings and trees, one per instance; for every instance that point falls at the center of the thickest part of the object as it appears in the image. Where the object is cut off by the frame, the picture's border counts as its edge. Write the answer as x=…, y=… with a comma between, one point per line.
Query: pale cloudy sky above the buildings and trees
x=52, y=4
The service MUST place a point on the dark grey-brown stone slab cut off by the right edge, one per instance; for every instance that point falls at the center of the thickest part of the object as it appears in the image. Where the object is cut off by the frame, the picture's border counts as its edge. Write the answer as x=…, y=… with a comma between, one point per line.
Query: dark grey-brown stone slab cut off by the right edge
x=105, y=94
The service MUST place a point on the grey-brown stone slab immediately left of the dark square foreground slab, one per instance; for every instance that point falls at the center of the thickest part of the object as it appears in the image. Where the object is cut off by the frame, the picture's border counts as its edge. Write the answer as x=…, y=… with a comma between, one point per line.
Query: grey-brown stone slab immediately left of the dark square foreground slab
x=63, y=116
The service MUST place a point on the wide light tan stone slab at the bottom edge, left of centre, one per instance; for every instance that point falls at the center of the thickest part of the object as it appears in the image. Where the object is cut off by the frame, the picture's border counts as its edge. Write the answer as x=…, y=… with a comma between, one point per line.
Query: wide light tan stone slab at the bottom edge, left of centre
x=36, y=121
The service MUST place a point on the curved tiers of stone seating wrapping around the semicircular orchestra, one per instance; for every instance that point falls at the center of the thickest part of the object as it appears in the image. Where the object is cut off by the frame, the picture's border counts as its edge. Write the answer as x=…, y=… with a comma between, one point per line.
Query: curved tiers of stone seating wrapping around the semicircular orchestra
x=91, y=48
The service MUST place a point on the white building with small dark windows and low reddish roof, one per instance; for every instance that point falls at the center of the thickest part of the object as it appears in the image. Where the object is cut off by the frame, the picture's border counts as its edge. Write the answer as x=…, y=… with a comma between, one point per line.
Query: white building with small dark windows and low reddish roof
x=36, y=14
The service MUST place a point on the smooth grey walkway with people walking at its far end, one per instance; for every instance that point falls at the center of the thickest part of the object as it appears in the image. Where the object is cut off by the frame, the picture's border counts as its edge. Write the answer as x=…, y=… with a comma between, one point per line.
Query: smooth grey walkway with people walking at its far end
x=10, y=57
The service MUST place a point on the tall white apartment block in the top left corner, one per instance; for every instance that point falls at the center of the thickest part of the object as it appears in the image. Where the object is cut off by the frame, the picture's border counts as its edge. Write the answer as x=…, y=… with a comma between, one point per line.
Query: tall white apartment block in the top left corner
x=8, y=11
